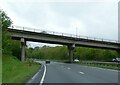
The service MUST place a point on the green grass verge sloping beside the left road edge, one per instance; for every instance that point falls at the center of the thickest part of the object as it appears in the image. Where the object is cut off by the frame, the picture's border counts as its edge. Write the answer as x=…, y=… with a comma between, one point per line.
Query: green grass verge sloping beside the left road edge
x=15, y=71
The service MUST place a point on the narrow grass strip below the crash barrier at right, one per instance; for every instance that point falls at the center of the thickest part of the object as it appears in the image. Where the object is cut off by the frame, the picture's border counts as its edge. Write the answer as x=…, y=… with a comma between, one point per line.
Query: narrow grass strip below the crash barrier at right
x=101, y=66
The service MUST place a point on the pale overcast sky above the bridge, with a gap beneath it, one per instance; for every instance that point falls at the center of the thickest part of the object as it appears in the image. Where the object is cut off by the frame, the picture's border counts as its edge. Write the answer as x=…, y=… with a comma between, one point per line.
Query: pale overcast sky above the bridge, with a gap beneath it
x=95, y=18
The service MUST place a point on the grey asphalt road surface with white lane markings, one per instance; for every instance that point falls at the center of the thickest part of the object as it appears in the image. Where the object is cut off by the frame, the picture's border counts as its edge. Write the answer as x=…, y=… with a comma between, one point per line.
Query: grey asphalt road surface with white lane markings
x=74, y=73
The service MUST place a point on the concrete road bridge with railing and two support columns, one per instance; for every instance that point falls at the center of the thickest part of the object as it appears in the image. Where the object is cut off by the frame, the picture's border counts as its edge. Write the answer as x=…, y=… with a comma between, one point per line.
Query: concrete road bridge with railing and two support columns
x=27, y=34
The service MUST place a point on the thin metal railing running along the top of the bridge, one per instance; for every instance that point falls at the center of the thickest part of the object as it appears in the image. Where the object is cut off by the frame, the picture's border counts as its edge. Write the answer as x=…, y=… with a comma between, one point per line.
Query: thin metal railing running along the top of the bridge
x=62, y=34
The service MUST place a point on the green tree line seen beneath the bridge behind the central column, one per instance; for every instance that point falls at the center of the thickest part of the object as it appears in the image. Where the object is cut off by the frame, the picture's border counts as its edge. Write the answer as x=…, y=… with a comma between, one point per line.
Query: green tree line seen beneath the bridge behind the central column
x=61, y=53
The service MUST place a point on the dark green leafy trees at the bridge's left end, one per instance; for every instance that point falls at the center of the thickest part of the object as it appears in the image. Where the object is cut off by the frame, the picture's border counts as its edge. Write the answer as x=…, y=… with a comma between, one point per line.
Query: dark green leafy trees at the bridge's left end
x=9, y=47
